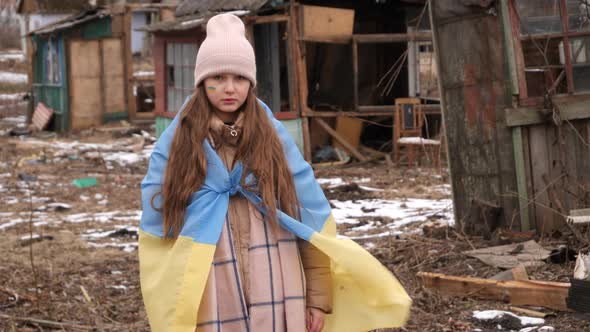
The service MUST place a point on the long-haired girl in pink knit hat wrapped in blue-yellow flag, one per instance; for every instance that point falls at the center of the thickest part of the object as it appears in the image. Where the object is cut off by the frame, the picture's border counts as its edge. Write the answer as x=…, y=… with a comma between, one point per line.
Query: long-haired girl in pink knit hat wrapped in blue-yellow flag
x=236, y=234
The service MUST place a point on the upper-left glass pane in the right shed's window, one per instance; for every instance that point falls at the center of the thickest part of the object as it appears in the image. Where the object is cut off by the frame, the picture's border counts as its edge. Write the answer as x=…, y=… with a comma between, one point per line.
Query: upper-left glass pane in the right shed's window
x=538, y=16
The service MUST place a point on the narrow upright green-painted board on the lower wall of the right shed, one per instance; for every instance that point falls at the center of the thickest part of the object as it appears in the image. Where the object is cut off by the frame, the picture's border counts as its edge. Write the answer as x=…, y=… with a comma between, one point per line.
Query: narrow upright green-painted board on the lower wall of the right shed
x=521, y=179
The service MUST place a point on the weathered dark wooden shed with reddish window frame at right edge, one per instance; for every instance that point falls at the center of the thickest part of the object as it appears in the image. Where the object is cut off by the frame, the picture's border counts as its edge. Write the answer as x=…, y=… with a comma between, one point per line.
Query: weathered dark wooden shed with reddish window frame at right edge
x=516, y=104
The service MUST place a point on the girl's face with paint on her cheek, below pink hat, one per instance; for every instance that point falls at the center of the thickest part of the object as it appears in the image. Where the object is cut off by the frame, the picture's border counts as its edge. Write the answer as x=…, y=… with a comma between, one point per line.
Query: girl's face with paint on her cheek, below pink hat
x=227, y=93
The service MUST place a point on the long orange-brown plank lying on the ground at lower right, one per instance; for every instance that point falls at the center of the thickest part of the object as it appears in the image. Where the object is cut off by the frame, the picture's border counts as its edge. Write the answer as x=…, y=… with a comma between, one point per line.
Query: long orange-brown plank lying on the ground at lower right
x=546, y=294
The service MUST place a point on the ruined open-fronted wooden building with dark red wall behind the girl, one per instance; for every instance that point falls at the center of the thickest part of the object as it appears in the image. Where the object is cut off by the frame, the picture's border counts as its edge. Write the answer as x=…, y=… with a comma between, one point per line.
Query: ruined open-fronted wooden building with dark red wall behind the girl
x=331, y=71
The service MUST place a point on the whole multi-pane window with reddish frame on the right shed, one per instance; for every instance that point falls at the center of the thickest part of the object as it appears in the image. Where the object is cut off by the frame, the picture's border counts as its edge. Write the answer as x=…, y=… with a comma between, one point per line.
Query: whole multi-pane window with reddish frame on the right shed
x=543, y=27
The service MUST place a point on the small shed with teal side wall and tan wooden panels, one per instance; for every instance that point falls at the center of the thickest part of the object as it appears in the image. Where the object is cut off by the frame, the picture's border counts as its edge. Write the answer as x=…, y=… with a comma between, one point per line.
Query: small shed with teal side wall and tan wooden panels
x=81, y=69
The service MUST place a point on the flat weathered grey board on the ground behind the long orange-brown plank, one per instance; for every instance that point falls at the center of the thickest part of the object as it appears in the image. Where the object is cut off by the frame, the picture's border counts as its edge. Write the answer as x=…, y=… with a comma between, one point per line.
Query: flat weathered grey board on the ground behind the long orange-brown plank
x=528, y=253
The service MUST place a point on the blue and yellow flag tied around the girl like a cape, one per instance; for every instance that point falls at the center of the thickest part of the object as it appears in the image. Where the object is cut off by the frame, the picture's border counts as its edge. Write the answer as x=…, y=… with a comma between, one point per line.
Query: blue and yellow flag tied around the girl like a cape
x=174, y=274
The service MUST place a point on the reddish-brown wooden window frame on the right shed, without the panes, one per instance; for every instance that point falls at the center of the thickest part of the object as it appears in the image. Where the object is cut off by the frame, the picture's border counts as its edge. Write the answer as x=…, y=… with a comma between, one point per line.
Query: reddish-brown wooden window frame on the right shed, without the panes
x=566, y=35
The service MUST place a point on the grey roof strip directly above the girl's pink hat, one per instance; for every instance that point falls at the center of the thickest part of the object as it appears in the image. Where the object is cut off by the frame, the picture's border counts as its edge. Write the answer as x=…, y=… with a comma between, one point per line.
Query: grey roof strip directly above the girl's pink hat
x=192, y=7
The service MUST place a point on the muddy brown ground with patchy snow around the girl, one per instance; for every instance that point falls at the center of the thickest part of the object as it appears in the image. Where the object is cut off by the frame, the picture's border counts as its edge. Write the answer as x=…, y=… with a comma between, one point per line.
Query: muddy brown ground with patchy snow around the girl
x=76, y=275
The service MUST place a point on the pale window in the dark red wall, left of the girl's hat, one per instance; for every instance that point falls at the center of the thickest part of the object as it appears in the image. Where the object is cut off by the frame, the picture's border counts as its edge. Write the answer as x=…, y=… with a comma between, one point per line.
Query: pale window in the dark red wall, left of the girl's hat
x=180, y=67
